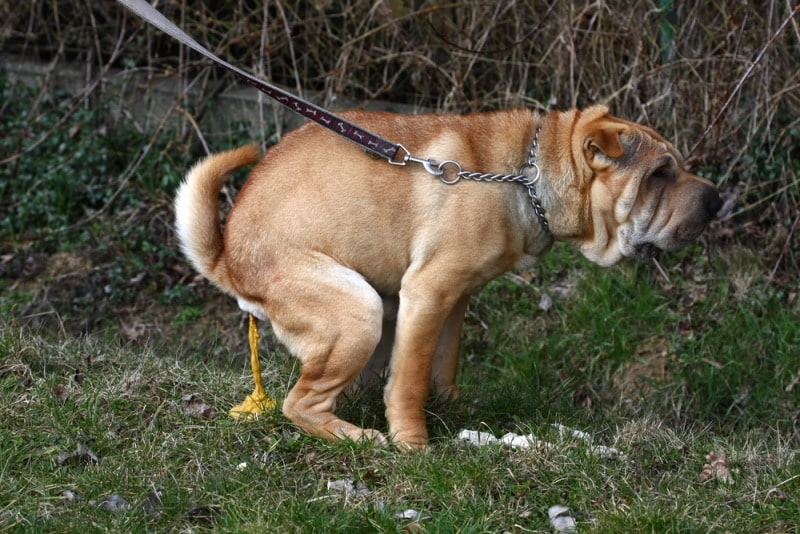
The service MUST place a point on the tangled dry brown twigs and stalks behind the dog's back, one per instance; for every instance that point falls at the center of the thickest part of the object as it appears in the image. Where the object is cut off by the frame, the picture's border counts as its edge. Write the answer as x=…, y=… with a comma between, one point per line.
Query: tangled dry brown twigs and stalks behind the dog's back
x=720, y=79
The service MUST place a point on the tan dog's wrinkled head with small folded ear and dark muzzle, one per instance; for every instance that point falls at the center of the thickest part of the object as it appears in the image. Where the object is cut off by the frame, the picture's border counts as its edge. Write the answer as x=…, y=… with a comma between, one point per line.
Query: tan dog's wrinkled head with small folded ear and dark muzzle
x=641, y=198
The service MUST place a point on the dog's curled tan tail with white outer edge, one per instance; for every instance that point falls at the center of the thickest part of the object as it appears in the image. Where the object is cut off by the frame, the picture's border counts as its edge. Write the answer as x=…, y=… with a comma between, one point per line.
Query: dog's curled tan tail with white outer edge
x=197, y=212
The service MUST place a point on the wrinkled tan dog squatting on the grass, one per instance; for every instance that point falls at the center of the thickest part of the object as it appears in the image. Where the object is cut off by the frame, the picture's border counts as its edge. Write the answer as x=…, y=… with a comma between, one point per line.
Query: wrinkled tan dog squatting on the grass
x=326, y=241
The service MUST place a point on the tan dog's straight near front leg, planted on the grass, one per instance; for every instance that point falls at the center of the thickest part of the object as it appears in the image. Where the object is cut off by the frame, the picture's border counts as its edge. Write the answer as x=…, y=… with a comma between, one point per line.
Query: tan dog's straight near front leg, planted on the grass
x=421, y=318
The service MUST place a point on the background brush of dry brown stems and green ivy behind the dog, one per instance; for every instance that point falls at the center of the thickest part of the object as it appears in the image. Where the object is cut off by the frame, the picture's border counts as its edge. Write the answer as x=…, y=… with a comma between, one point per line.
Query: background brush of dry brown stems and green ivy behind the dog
x=720, y=79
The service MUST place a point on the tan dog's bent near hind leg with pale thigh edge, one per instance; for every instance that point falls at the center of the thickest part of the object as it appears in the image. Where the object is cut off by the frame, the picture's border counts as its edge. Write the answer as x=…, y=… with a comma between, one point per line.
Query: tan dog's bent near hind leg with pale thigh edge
x=330, y=318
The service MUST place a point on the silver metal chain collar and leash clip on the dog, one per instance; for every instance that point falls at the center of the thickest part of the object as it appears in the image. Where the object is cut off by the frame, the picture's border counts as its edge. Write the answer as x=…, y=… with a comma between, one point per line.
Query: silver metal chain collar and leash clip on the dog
x=450, y=172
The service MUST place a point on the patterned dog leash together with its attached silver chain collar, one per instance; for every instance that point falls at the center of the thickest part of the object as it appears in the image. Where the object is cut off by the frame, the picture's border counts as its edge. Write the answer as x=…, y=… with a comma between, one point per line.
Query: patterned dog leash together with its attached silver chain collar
x=449, y=172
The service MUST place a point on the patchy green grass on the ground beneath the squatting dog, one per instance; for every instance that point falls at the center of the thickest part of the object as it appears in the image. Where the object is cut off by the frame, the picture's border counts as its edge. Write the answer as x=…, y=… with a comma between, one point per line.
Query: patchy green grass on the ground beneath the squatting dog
x=525, y=370
